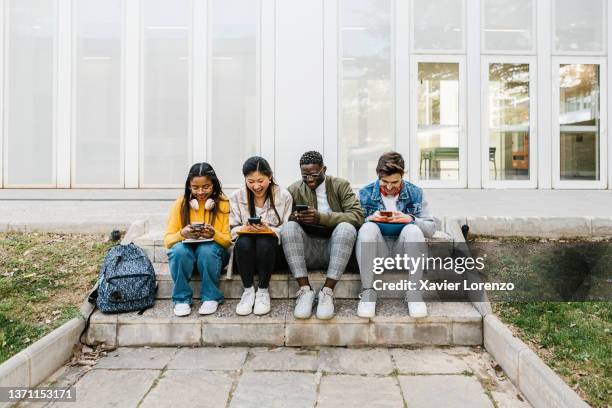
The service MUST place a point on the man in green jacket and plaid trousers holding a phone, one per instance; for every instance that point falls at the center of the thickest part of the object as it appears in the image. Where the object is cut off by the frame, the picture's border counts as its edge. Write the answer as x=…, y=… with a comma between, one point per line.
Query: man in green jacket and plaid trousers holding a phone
x=321, y=232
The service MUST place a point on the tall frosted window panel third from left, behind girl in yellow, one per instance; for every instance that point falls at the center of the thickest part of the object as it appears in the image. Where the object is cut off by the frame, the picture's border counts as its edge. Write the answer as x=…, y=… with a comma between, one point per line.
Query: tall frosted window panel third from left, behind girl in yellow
x=165, y=128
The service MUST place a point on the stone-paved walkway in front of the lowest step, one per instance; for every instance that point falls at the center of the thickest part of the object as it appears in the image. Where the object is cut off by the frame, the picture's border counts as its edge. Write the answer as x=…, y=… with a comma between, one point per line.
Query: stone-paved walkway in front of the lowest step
x=290, y=377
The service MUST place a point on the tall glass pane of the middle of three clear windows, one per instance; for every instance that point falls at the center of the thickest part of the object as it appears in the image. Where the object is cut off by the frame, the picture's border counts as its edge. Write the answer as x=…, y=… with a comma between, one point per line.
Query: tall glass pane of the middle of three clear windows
x=509, y=121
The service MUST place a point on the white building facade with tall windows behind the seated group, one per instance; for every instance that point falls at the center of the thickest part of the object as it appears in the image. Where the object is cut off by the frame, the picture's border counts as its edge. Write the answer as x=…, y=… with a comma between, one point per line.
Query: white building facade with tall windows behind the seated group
x=474, y=93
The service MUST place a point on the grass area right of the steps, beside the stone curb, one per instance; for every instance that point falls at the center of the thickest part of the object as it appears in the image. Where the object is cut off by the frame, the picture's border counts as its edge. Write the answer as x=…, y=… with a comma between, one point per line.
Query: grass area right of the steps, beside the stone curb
x=573, y=337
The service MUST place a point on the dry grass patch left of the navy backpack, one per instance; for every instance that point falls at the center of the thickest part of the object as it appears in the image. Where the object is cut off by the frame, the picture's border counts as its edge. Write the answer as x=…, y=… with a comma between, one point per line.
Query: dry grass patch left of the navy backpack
x=44, y=279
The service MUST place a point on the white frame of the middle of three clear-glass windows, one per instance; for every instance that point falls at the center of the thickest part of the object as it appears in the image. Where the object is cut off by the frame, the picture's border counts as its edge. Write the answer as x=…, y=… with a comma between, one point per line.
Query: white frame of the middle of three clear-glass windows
x=532, y=182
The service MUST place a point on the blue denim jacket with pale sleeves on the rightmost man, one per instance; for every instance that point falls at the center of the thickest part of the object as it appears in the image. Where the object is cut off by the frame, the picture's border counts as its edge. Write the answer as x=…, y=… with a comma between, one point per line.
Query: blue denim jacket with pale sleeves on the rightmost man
x=410, y=201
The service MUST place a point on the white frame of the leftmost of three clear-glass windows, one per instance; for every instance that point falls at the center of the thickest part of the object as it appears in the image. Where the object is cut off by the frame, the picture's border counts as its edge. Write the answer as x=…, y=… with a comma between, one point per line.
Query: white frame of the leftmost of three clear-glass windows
x=462, y=104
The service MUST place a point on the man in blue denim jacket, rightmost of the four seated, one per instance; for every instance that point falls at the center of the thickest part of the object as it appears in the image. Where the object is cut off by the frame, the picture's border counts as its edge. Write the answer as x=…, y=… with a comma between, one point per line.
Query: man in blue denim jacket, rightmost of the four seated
x=392, y=193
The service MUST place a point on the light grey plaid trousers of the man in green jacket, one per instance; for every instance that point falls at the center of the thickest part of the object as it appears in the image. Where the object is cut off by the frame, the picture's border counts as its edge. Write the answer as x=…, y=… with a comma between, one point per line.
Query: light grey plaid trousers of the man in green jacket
x=304, y=251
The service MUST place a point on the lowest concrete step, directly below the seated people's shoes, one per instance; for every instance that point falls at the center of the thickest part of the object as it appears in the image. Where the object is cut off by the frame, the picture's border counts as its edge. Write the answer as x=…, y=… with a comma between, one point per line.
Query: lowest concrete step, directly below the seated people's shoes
x=452, y=323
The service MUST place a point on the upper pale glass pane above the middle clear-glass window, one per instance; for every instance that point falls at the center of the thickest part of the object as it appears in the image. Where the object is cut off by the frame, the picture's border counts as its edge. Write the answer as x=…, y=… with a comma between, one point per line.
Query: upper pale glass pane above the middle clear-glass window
x=508, y=25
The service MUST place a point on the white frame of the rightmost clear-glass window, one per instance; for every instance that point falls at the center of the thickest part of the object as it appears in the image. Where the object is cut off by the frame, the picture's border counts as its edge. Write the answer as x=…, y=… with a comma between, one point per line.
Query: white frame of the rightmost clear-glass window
x=557, y=183
